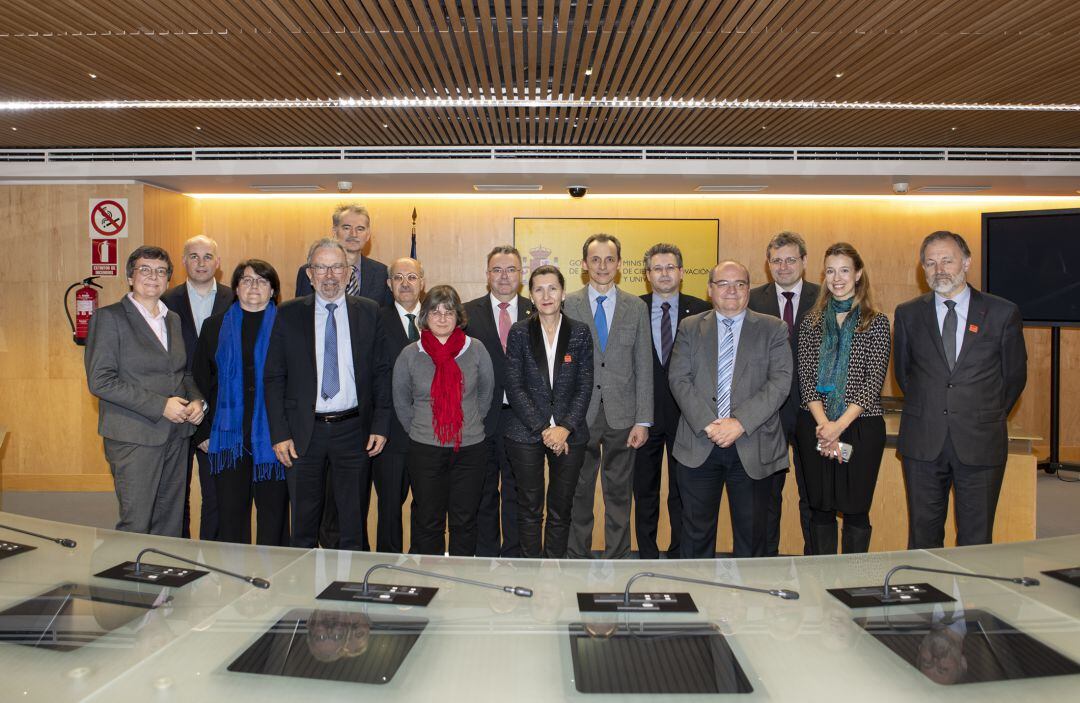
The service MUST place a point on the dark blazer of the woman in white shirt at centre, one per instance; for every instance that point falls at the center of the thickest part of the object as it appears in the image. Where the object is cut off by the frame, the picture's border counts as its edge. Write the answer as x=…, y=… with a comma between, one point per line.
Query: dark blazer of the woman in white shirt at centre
x=534, y=397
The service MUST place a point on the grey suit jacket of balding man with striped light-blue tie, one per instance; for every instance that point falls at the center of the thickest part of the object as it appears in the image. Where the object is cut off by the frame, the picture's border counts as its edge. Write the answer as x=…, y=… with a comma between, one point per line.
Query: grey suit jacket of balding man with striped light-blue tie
x=762, y=383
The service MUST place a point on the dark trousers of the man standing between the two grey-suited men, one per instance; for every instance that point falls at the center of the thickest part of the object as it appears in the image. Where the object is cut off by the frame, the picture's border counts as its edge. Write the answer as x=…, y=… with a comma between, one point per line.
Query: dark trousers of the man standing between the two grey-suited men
x=649, y=467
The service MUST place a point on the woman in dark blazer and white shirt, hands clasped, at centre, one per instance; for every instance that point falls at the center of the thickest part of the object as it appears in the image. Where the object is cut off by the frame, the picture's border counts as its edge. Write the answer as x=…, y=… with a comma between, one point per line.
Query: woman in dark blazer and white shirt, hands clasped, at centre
x=549, y=385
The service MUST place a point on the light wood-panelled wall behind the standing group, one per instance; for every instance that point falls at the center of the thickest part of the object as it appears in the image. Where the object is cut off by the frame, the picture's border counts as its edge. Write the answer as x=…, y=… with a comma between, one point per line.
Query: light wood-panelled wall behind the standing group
x=52, y=418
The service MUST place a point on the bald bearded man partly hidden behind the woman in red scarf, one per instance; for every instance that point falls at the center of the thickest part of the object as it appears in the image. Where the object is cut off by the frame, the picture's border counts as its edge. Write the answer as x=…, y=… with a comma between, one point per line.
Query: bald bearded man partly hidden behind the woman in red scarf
x=389, y=471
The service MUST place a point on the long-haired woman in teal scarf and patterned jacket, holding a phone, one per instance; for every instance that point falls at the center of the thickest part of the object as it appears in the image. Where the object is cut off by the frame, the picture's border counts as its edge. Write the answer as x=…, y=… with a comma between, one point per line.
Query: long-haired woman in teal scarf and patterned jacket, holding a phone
x=844, y=349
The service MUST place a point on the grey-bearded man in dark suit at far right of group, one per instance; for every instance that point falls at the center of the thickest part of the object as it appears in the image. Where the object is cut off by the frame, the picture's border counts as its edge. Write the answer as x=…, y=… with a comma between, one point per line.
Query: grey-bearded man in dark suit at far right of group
x=961, y=360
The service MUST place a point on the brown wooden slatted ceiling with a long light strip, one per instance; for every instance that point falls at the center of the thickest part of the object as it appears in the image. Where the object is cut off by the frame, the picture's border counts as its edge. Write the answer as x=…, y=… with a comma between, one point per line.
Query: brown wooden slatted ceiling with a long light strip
x=922, y=51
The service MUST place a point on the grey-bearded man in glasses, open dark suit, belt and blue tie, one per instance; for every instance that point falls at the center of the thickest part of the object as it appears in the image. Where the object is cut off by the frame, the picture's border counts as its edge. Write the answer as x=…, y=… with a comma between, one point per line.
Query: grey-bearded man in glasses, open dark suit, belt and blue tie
x=328, y=395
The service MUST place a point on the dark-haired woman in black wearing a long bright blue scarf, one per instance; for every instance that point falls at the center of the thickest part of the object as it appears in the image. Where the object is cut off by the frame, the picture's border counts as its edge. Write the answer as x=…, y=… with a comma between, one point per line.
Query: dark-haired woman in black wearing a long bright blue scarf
x=228, y=369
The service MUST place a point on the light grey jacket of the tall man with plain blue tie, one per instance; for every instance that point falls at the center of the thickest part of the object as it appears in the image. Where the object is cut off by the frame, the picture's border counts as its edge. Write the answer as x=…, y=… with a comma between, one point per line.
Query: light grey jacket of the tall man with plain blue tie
x=623, y=374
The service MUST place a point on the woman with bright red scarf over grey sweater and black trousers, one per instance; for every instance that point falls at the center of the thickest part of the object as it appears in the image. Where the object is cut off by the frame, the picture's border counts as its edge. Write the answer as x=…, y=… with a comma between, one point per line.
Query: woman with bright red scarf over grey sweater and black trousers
x=442, y=387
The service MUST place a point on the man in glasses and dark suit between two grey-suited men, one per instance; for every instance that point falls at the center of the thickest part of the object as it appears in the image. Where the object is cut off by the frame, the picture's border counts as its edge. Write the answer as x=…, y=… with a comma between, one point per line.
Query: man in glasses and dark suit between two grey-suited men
x=668, y=307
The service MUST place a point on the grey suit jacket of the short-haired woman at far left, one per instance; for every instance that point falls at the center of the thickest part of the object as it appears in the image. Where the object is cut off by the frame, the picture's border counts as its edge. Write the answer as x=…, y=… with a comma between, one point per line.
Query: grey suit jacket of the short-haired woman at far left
x=133, y=376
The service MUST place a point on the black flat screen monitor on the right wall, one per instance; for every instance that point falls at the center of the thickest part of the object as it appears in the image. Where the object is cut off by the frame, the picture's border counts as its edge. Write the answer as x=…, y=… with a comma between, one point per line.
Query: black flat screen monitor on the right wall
x=1033, y=259
